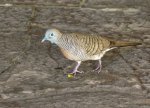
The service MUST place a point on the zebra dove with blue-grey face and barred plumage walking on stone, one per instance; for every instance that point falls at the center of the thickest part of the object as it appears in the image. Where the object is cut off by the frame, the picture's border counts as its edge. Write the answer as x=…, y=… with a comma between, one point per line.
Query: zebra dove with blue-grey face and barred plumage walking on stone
x=81, y=47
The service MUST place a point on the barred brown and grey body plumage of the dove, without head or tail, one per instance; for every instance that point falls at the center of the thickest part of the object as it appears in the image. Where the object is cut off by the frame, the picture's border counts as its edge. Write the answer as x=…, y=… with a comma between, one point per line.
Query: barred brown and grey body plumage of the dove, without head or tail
x=83, y=46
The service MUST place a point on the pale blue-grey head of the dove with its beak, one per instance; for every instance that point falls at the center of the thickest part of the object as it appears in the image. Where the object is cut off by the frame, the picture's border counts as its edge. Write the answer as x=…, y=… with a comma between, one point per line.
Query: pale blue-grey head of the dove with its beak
x=52, y=35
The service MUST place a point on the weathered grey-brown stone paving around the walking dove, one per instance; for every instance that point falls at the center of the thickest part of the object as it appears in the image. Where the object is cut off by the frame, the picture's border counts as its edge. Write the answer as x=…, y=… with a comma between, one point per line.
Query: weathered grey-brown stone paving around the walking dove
x=29, y=73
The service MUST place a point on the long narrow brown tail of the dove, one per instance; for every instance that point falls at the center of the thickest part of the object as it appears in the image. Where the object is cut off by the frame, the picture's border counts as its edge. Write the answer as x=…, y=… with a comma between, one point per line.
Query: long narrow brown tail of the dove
x=123, y=43
